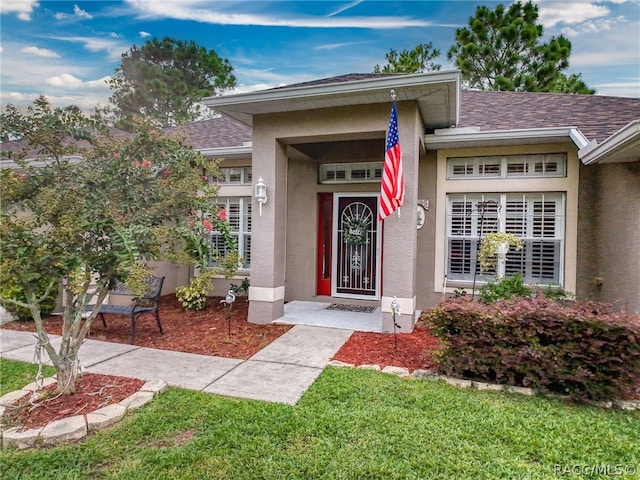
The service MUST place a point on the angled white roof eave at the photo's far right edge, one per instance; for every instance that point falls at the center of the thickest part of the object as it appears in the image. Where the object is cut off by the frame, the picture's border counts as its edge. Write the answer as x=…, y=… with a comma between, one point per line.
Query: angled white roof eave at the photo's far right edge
x=621, y=147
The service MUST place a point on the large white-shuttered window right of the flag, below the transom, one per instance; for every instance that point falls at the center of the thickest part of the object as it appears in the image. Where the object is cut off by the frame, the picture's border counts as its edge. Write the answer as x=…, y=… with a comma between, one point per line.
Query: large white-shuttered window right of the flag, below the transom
x=536, y=218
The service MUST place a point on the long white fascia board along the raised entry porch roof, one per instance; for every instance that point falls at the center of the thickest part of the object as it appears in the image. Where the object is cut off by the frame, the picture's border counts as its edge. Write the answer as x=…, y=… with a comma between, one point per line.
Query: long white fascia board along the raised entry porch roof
x=300, y=92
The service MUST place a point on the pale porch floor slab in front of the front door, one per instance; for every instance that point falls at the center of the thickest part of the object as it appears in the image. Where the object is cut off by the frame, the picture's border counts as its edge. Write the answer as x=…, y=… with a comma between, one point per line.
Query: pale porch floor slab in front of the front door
x=300, y=312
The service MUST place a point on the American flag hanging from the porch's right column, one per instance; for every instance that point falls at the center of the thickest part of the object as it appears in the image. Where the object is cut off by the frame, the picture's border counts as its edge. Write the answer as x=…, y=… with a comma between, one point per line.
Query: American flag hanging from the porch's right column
x=392, y=186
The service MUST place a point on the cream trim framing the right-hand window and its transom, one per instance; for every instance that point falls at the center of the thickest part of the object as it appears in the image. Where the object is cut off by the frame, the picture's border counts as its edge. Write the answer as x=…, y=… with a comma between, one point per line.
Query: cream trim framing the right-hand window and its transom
x=567, y=184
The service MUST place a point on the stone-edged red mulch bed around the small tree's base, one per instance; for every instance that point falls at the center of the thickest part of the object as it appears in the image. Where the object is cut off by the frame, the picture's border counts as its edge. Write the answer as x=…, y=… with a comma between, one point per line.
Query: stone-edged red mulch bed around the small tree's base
x=93, y=391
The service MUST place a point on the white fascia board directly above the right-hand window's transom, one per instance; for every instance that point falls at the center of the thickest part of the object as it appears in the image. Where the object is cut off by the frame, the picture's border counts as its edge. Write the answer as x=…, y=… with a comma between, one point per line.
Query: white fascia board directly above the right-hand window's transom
x=453, y=137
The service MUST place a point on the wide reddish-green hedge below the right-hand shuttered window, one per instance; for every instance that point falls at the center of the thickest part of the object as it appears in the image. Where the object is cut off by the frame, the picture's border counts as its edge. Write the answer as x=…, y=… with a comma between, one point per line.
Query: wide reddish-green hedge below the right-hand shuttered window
x=584, y=350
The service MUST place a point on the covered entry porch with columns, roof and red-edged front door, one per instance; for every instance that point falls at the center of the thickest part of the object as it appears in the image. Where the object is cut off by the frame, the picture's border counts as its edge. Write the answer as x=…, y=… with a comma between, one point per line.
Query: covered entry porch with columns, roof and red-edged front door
x=319, y=241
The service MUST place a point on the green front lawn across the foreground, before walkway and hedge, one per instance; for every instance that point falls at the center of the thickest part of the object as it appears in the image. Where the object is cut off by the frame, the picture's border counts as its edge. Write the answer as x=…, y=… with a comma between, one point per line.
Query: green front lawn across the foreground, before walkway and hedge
x=352, y=424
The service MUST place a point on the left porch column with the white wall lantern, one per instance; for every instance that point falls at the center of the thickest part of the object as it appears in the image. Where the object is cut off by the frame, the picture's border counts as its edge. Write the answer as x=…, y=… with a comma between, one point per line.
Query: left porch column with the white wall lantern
x=266, y=292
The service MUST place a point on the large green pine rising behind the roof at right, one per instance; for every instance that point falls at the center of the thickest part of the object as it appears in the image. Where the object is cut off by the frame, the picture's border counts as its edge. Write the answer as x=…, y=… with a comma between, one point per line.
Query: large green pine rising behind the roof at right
x=501, y=49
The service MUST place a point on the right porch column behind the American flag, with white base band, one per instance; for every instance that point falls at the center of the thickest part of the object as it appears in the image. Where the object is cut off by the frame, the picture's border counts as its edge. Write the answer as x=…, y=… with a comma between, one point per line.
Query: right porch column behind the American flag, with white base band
x=400, y=232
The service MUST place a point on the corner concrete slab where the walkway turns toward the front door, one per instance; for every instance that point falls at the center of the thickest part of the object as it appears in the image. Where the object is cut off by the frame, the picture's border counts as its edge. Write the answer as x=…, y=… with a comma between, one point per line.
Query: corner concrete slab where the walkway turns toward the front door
x=266, y=381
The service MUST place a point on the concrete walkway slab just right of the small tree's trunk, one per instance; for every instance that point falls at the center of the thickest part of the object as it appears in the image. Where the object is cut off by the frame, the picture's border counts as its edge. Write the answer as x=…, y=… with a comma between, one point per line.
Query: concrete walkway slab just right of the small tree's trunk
x=186, y=370
